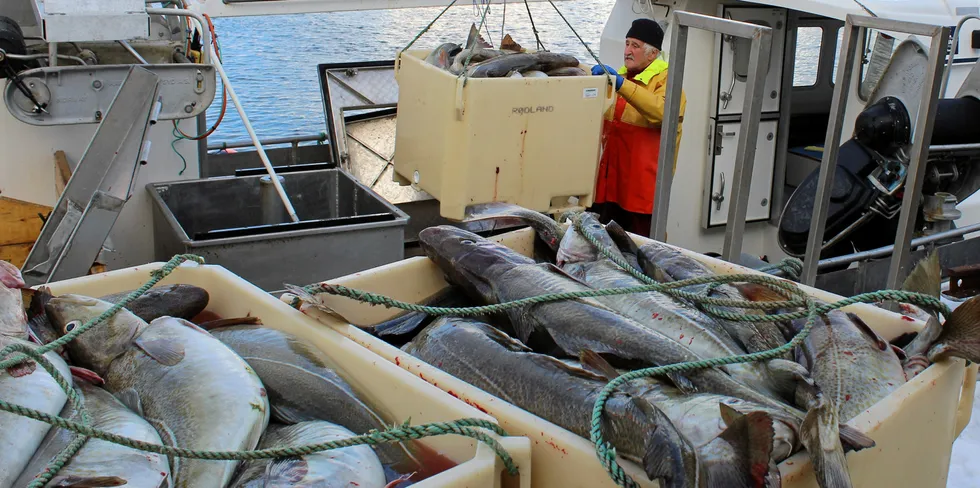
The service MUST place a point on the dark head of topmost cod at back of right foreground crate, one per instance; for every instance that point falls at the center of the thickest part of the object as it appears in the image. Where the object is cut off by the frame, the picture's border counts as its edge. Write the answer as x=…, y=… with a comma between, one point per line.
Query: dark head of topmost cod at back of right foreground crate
x=466, y=259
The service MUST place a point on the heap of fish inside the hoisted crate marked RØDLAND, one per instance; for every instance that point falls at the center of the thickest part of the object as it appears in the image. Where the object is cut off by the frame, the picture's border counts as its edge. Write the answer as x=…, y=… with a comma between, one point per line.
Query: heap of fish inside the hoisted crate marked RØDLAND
x=509, y=61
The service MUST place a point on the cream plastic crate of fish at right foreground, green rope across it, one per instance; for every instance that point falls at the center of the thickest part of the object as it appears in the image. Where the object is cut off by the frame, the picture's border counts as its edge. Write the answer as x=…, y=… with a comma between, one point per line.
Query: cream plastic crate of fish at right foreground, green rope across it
x=913, y=428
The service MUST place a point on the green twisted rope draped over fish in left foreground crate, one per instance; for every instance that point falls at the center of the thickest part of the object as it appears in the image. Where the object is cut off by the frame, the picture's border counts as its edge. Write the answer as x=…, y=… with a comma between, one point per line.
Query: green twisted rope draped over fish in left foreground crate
x=396, y=434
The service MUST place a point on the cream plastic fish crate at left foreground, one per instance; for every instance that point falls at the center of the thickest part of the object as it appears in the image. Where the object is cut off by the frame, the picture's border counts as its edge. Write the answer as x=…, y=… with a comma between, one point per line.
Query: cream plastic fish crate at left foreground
x=385, y=386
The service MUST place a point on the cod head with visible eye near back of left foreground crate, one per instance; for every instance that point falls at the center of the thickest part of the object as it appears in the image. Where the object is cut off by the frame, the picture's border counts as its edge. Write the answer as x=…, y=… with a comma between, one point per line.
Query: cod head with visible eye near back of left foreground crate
x=98, y=346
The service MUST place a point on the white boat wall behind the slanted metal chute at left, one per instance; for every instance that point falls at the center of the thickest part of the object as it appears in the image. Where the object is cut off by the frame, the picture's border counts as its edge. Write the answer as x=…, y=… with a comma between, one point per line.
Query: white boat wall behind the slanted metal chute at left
x=27, y=172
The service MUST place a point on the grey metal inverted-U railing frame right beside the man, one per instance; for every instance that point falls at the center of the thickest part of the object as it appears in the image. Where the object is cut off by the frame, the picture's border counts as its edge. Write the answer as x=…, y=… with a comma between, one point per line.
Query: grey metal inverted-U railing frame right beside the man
x=748, y=129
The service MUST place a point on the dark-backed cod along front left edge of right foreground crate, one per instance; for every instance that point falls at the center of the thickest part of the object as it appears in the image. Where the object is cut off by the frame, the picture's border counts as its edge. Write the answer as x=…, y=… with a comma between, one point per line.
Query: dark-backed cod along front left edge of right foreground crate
x=492, y=361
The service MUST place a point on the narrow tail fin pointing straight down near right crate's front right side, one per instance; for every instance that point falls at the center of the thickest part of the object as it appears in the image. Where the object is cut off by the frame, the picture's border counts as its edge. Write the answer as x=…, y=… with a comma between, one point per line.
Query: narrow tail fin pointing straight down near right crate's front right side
x=820, y=436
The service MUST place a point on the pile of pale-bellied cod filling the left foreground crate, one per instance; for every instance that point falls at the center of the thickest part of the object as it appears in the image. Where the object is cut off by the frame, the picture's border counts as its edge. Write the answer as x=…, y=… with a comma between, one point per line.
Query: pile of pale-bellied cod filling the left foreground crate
x=167, y=371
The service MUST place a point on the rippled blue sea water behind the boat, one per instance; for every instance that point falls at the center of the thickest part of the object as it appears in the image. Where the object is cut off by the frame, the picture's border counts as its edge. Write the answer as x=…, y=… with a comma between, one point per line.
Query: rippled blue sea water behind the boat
x=272, y=61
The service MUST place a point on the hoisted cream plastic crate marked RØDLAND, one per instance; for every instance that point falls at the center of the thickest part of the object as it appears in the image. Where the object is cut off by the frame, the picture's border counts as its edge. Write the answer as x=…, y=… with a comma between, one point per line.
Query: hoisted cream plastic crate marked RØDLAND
x=533, y=142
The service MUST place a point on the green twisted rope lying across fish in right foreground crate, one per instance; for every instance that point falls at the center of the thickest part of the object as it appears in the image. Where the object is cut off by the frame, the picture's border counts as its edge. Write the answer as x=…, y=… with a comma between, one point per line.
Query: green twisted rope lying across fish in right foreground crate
x=604, y=451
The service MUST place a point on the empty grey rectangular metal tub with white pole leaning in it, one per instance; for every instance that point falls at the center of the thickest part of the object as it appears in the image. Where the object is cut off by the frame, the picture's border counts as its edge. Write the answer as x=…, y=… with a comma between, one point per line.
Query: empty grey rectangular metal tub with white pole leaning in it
x=238, y=223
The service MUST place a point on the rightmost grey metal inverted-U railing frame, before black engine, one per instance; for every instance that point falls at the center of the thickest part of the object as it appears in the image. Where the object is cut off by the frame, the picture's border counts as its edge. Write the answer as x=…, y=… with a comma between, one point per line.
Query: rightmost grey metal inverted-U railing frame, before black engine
x=922, y=133
